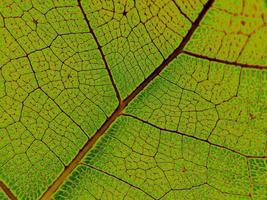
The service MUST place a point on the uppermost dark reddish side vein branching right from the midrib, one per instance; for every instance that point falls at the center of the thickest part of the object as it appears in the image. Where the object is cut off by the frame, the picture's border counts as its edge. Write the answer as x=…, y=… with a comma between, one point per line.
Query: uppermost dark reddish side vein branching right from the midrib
x=236, y=64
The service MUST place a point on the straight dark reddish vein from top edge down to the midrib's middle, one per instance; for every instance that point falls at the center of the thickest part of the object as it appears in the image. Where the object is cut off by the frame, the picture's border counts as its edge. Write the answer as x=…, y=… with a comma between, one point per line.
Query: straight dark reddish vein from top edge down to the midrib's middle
x=100, y=50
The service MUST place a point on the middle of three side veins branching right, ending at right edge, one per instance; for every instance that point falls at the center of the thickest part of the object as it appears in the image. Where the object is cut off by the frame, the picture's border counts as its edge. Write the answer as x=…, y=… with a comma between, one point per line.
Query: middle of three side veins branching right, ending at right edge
x=193, y=137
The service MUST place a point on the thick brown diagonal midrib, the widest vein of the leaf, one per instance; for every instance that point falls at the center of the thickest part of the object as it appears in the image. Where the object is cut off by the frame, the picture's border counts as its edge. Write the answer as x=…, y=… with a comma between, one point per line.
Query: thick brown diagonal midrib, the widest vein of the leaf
x=90, y=143
